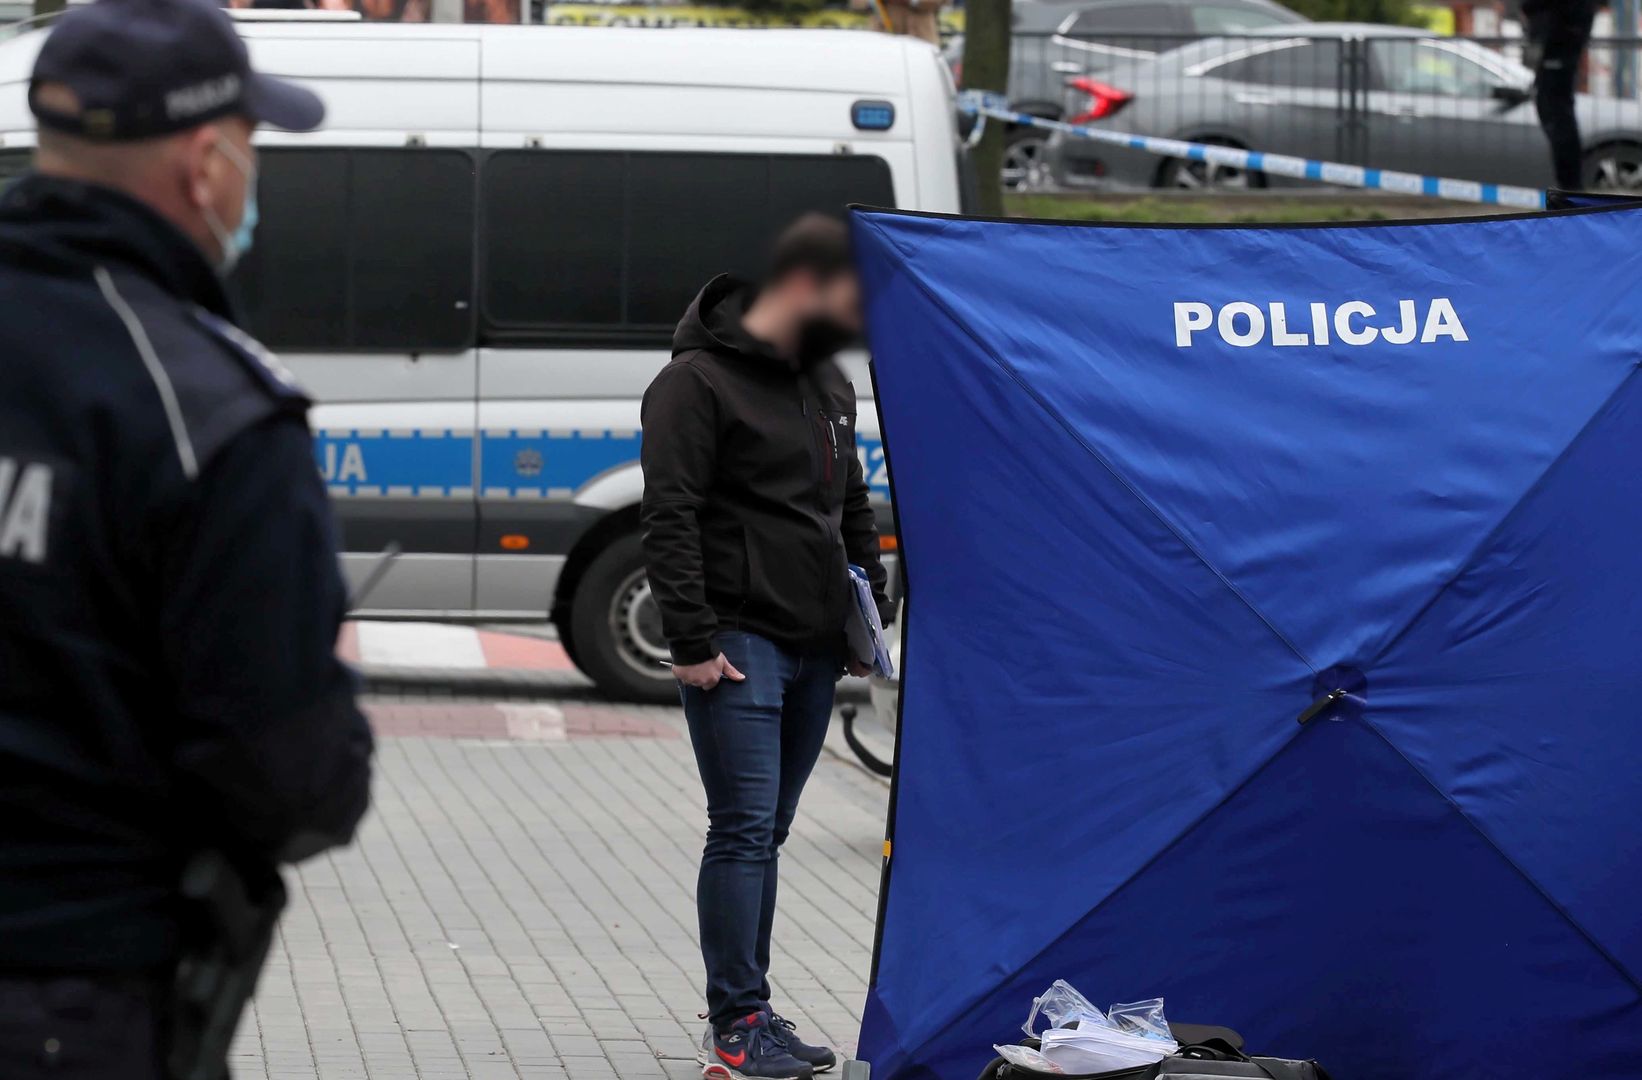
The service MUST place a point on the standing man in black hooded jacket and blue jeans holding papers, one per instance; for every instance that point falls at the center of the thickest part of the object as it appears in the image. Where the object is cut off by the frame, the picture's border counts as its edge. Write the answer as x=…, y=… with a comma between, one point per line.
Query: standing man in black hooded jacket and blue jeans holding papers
x=754, y=503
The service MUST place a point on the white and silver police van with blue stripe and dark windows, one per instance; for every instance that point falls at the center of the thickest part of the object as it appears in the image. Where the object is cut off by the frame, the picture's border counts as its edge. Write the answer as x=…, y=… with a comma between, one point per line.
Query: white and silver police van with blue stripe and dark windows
x=479, y=263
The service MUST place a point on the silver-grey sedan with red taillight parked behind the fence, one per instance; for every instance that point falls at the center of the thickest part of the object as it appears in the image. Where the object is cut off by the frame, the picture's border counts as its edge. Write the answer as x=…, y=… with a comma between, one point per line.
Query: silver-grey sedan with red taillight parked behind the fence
x=1365, y=94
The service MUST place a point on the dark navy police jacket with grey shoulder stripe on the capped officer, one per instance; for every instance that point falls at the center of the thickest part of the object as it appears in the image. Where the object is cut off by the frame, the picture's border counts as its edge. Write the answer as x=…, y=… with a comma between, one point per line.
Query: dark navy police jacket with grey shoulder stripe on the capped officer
x=170, y=592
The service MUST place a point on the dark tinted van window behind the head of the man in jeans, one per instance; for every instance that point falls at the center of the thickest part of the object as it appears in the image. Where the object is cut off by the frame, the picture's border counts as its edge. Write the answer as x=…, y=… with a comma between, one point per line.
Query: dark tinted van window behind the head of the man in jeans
x=610, y=247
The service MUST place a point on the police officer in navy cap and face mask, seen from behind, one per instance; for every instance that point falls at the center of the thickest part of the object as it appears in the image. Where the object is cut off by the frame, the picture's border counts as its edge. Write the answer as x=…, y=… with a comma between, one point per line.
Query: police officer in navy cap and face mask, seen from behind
x=170, y=593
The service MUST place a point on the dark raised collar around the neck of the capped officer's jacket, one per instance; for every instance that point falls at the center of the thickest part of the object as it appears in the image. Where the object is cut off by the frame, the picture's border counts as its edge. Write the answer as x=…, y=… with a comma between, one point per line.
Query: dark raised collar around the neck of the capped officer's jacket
x=71, y=227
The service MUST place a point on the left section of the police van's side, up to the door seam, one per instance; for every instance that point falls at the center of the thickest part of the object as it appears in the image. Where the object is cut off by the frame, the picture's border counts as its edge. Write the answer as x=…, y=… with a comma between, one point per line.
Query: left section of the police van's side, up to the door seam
x=397, y=428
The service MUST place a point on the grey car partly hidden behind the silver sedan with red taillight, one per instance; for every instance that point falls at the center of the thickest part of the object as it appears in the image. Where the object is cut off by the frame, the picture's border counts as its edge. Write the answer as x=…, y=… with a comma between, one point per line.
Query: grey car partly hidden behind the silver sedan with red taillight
x=1055, y=40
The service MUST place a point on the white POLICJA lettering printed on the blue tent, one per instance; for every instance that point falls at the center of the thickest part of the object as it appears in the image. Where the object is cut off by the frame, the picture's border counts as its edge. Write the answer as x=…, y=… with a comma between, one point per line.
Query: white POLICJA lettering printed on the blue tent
x=1245, y=326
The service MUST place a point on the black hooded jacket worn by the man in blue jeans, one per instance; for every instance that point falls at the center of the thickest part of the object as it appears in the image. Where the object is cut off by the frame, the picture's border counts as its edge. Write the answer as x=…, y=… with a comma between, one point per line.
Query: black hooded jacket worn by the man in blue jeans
x=754, y=497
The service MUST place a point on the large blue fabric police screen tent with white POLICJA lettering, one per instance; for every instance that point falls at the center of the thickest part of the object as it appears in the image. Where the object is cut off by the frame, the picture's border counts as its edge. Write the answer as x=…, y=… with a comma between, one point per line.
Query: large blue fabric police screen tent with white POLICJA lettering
x=1275, y=638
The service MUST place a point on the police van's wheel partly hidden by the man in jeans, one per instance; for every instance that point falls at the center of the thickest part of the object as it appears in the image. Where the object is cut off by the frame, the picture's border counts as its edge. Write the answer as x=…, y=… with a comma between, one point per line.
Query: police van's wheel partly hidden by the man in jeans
x=618, y=628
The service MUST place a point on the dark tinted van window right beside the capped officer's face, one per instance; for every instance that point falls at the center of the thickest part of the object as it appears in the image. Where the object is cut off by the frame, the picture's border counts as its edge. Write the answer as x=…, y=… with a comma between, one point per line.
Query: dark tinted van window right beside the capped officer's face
x=362, y=250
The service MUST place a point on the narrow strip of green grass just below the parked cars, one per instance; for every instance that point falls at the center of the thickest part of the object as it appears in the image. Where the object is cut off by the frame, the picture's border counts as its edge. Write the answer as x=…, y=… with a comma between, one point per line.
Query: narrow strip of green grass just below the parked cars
x=1236, y=211
